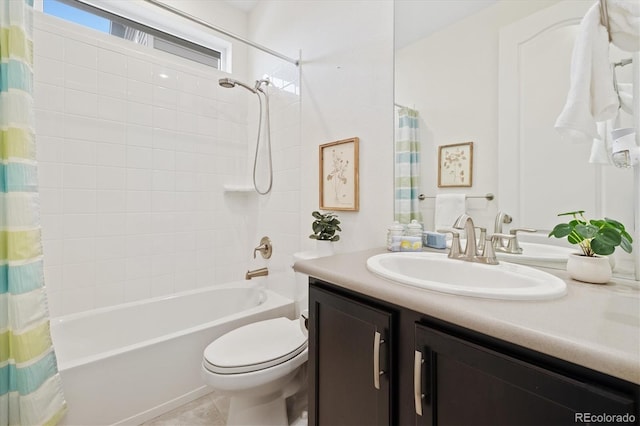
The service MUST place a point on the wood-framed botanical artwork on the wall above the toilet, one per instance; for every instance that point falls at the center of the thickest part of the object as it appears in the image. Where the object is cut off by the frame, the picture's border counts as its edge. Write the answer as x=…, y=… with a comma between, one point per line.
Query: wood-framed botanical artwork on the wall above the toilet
x=339, y=175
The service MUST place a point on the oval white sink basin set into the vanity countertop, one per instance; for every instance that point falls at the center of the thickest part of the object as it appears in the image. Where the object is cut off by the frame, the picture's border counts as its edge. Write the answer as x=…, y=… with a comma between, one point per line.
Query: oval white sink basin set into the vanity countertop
x=434, y=271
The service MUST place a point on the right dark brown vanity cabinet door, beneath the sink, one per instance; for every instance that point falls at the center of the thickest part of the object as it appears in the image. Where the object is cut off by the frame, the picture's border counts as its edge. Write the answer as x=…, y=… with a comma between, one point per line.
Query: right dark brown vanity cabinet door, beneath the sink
x=458, y=382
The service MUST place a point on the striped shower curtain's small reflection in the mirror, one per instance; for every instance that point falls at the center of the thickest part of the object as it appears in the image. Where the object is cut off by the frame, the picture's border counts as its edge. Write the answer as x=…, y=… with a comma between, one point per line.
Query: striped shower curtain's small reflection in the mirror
x=407, y=166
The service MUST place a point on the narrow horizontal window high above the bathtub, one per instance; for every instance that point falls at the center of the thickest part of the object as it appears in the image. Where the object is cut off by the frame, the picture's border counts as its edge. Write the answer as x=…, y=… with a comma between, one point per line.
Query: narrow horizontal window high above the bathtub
x=145, y=24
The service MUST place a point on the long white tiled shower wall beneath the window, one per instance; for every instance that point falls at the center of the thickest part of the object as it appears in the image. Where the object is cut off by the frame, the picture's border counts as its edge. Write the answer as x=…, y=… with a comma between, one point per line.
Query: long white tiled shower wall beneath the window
x=134, y=148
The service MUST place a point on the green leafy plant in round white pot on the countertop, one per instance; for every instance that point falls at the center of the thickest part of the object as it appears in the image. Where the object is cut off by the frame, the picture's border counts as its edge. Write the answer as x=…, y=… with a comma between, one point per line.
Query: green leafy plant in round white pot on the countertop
x=597, y=238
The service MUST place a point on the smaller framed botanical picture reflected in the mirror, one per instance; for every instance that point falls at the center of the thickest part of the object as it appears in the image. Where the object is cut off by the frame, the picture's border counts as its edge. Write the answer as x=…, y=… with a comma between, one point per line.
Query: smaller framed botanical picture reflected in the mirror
x=455, y=165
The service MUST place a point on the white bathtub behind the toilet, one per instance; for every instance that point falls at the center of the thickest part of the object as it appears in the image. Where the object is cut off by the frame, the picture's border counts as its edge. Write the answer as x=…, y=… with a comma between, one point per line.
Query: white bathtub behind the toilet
x=129, y=363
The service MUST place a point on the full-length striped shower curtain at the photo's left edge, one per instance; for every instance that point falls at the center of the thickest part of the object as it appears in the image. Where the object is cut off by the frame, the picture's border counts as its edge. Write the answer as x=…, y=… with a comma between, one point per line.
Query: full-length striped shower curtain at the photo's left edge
x=30, y=386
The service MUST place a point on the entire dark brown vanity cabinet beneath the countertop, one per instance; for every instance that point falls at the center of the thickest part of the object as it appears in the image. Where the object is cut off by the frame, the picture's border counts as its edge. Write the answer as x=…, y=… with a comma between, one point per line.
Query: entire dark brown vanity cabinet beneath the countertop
x=436, y=373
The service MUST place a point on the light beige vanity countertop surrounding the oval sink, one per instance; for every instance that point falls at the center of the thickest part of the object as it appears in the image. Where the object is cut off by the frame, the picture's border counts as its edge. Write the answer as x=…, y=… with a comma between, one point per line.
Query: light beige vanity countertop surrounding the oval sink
x=596, y=326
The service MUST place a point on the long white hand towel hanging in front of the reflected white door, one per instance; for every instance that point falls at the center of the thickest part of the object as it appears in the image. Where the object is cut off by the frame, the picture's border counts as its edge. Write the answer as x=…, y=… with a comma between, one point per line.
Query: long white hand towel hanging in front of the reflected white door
x=591, y=95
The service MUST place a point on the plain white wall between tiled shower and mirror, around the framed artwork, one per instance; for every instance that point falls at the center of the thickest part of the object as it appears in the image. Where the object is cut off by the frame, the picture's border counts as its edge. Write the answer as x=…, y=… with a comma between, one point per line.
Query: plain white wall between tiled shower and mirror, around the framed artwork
x=347, y=91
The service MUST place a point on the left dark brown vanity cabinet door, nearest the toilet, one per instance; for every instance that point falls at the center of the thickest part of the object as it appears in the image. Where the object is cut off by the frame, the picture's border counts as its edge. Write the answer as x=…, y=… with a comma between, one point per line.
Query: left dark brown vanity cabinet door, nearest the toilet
x=349, y=377
